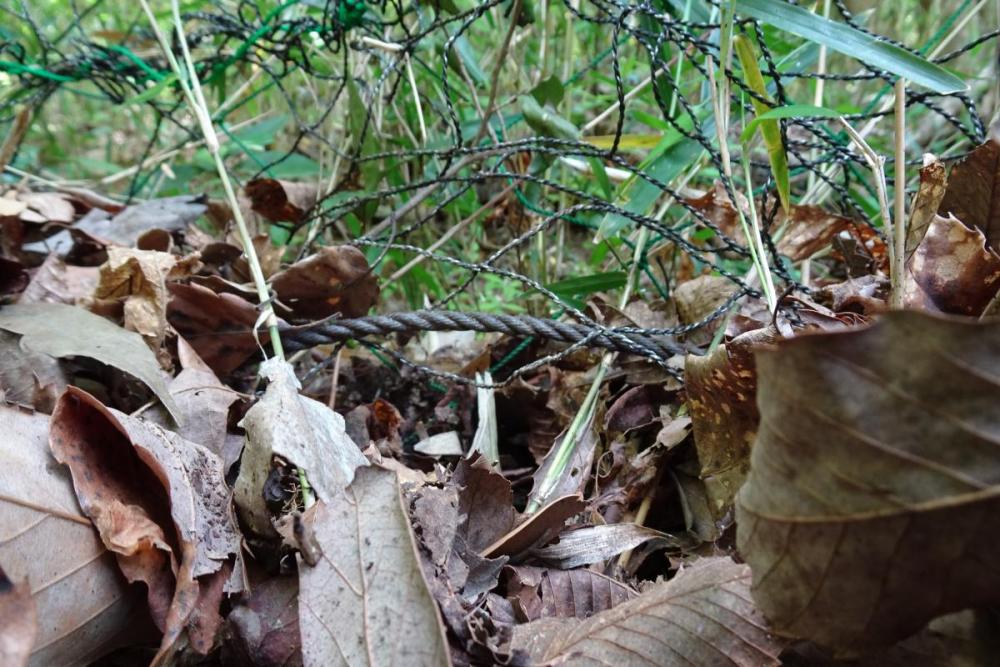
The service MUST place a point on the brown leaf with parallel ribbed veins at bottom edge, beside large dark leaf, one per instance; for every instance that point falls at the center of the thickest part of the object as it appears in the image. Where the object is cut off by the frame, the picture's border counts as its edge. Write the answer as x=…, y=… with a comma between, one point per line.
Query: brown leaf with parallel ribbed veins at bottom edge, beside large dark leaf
x=703, y=616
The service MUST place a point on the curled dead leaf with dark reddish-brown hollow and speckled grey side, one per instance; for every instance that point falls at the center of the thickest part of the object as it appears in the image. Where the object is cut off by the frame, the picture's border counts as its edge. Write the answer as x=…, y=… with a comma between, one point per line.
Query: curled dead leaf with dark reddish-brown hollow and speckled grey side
x=143, y=486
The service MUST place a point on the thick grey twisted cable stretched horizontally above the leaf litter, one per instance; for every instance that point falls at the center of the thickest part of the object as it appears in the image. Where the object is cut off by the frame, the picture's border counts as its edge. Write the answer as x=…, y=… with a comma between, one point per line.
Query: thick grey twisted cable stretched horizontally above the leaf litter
x=658, y=348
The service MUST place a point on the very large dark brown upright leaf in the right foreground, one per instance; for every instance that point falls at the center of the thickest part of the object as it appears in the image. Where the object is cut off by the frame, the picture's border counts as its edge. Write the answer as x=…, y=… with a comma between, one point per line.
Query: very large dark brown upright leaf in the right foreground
x=873, y=501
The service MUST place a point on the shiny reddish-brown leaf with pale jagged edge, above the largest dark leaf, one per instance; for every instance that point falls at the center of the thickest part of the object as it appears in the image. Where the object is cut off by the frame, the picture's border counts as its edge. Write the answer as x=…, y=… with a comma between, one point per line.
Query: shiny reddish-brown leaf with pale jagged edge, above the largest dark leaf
x=952, y=270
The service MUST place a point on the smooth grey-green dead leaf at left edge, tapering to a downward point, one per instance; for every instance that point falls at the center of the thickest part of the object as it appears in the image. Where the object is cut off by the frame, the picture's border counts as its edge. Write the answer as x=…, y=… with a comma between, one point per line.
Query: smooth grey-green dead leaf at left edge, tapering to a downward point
x=62, y=331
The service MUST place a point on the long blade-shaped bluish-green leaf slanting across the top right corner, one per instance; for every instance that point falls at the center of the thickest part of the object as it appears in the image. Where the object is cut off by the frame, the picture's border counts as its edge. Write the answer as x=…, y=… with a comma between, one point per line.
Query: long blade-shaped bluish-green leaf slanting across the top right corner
x=849, y=41
